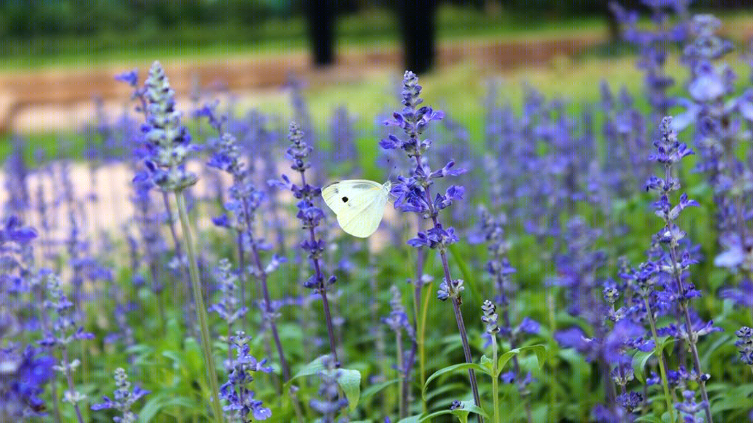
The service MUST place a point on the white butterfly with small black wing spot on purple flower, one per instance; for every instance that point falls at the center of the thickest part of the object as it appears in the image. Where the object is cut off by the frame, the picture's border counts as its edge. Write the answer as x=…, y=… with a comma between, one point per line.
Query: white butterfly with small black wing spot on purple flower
x=358, y=204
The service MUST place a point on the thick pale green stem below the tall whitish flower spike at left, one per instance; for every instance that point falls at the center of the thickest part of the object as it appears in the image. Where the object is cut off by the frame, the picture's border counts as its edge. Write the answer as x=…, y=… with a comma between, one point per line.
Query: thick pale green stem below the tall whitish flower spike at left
x=201, y=311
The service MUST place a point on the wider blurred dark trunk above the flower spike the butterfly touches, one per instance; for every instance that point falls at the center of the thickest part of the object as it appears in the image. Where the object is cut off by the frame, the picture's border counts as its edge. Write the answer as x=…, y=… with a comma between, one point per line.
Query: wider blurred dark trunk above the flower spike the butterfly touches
x=417, y=23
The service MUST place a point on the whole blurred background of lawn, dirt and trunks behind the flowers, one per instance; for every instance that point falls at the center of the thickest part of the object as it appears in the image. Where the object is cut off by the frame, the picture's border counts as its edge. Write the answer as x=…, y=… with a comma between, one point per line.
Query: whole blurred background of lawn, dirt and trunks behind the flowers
x=59, y=57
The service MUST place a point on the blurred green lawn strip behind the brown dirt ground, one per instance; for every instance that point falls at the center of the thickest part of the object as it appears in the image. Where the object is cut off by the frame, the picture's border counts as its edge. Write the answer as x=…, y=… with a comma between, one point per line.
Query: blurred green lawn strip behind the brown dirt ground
x=372, y=27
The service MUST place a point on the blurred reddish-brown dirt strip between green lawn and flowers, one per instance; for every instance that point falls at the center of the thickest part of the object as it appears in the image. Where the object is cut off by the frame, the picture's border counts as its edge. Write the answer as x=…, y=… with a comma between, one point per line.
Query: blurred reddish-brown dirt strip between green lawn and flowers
x=49, y=100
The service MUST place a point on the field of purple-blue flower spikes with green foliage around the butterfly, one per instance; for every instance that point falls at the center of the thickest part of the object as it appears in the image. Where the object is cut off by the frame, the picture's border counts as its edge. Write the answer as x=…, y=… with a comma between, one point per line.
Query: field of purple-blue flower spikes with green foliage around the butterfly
x=552, y=260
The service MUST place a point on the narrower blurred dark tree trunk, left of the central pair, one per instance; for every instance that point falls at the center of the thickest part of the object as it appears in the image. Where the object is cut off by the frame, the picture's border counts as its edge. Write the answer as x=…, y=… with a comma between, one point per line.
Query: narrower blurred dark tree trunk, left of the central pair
x=321, y=25
